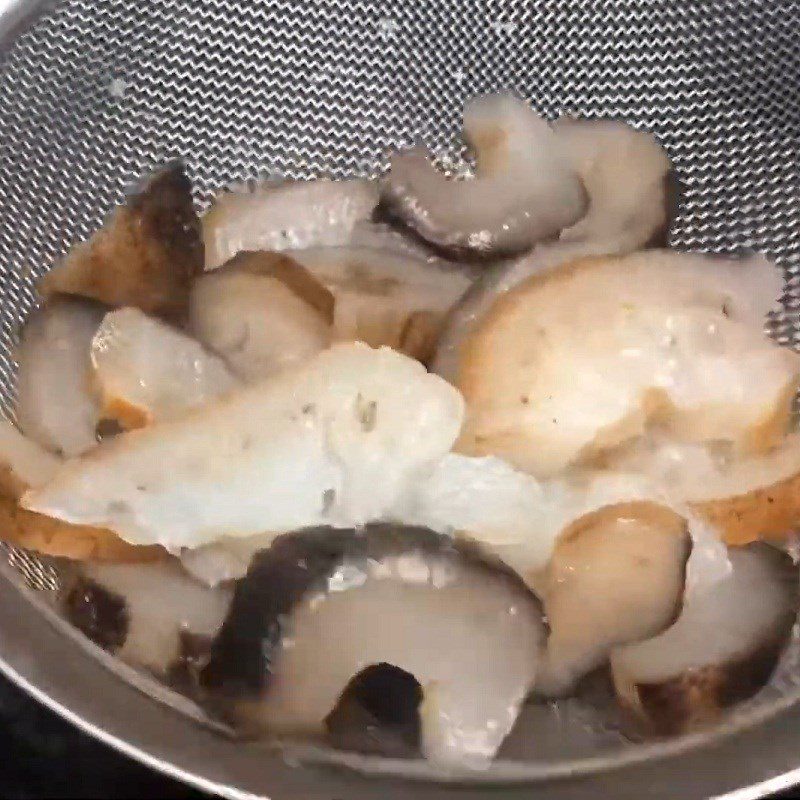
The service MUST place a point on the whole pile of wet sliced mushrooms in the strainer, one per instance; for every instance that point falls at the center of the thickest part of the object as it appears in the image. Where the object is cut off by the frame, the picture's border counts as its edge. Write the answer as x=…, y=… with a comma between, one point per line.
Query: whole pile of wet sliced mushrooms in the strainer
x=380, y=461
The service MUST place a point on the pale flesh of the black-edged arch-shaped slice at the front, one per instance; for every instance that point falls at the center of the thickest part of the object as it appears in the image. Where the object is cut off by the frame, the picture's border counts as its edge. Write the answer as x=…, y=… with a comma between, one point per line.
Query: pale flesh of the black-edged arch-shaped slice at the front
x=470, y=702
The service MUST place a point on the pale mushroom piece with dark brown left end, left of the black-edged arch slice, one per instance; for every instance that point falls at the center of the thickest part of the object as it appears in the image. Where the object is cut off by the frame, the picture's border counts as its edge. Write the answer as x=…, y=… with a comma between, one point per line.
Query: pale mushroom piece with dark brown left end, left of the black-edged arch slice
x=141, y=612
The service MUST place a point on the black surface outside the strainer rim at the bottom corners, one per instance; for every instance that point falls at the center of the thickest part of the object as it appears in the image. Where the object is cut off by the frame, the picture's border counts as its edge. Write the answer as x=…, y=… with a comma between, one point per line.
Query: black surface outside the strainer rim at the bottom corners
x=41, y=756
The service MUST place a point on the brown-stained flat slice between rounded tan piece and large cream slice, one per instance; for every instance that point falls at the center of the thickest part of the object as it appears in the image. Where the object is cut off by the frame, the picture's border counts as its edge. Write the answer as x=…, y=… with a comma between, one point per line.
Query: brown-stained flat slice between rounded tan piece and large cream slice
x=385, y=297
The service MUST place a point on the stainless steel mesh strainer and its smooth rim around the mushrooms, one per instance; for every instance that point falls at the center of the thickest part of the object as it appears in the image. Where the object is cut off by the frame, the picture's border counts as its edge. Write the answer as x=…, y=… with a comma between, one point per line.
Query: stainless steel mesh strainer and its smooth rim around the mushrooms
x=93, y=94
